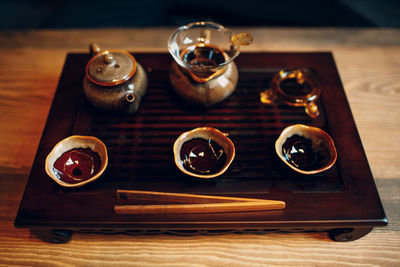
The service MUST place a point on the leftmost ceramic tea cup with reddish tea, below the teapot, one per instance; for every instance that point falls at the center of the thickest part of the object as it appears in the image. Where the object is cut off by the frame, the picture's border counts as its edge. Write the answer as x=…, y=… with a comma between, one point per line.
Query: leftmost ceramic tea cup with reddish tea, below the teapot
x=88, y=150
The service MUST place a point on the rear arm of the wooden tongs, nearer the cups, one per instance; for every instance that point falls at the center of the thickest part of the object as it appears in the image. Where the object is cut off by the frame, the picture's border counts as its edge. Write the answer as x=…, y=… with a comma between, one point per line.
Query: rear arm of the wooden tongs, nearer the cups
x=178, y=197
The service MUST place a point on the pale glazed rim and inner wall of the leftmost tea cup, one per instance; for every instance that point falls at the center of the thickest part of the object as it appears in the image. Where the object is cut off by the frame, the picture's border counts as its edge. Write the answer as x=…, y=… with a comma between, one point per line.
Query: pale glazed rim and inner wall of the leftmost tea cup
x=72, y=142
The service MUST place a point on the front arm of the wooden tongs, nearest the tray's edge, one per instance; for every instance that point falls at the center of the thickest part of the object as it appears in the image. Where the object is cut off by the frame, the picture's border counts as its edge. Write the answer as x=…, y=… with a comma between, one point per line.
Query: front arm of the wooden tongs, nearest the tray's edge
x=200, y=208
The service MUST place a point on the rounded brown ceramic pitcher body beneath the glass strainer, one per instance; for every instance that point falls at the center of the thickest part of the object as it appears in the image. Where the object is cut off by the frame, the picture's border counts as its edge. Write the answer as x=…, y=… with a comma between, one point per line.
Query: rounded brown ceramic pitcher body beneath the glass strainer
x=208, y=93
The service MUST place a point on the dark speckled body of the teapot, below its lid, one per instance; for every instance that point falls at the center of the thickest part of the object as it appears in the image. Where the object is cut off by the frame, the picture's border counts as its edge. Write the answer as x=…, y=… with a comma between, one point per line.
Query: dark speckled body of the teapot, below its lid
x=115, y=97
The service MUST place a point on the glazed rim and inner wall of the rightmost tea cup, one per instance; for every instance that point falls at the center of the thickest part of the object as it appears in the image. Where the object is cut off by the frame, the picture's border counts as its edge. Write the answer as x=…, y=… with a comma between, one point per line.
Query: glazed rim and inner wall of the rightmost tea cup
x=284, y=136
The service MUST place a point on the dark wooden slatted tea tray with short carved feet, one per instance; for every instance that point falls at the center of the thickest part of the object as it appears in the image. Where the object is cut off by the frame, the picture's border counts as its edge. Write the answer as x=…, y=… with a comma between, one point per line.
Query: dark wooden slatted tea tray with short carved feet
x=343, y=200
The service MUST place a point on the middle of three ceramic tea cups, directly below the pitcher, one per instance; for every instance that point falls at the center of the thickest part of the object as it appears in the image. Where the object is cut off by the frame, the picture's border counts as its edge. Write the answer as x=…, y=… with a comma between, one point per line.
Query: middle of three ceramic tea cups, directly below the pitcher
x=203, y=152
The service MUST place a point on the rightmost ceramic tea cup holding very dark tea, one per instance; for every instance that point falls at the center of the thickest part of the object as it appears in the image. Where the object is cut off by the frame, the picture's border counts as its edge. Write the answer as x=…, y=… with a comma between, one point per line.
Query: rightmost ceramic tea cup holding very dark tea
x=306, y=149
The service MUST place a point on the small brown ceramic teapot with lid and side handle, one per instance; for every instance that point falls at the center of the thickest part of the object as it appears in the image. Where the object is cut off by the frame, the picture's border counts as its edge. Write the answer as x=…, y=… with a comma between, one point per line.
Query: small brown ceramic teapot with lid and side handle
x=114, y=80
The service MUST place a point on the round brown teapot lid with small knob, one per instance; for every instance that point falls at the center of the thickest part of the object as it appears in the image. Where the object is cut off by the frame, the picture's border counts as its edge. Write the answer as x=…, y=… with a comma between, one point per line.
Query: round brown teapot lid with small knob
x=111, y=68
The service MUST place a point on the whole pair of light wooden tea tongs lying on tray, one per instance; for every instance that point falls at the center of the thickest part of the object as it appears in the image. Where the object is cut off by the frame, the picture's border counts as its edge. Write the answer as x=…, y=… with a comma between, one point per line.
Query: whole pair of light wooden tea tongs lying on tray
x=191, y=203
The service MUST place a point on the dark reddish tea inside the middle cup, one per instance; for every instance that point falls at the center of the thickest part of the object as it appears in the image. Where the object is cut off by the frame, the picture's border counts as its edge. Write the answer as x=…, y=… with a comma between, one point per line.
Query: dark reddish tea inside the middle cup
x=202, y=156
